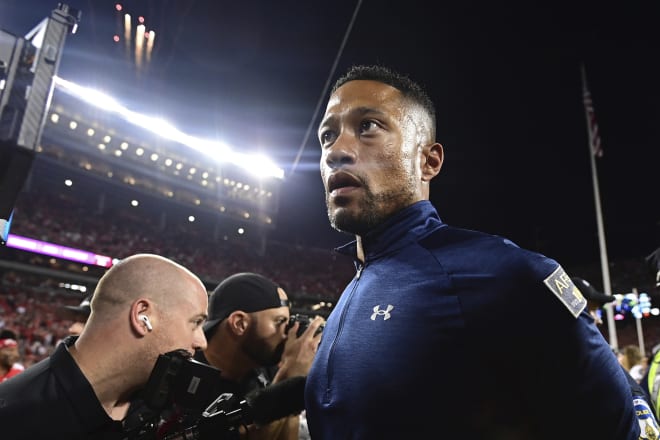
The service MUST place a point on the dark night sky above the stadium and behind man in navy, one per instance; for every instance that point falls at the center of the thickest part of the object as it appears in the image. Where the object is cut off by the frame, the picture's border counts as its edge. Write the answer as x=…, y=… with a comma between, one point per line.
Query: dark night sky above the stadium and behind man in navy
x=505, y=77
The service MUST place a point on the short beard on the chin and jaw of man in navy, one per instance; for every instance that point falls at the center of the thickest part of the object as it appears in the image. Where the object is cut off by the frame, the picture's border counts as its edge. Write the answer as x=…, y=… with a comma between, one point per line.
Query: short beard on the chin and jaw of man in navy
x=373, y=210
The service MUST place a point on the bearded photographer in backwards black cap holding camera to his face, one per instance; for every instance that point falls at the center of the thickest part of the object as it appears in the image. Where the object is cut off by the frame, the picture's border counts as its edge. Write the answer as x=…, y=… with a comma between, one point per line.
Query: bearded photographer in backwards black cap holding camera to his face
x=251, y=344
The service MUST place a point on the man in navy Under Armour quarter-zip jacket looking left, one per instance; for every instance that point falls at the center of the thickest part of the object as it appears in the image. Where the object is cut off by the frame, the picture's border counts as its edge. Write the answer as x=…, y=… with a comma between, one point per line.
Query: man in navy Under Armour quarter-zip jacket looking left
x=443, y=332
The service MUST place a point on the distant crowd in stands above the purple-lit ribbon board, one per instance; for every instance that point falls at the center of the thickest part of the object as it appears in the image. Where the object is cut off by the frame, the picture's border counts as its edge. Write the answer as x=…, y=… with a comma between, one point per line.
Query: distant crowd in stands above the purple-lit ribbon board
x=118, y=233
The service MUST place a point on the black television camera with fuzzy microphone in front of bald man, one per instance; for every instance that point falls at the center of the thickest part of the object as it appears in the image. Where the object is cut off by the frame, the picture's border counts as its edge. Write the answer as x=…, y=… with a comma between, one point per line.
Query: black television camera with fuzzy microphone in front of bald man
x=183, y=399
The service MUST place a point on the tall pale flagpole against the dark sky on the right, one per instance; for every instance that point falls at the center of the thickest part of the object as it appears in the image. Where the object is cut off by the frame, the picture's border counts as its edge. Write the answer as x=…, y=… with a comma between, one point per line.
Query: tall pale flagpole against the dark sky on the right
x=614, y=343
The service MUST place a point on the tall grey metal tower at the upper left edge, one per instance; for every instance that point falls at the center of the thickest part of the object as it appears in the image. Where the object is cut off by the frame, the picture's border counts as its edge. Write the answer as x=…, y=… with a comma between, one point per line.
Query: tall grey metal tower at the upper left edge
x=28, y=67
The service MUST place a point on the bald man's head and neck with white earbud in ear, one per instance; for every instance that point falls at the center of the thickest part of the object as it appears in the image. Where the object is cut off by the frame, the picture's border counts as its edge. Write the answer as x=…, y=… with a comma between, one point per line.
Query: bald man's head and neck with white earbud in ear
x=144, y=306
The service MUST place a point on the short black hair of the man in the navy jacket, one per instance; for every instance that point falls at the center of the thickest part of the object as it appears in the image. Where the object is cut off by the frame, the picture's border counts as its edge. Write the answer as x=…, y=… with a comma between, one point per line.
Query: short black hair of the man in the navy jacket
x=408, y=88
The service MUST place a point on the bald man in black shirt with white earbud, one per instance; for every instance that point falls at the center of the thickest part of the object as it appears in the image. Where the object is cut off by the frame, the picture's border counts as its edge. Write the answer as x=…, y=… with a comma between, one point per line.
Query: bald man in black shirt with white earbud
x=144, y=306
